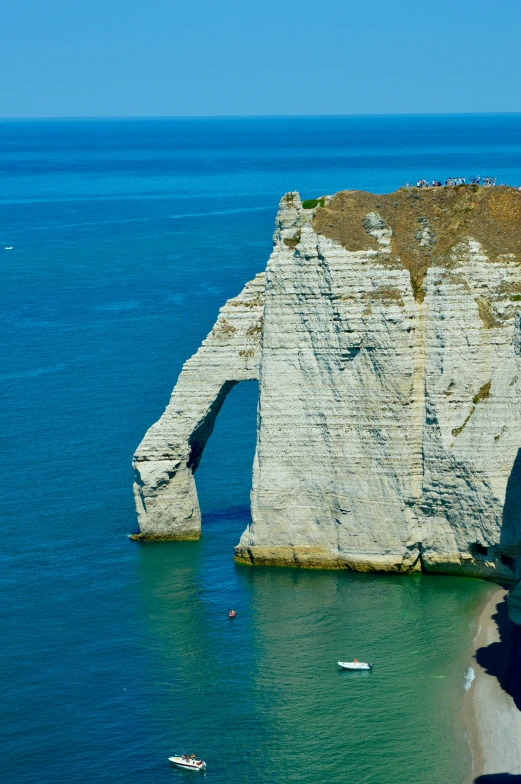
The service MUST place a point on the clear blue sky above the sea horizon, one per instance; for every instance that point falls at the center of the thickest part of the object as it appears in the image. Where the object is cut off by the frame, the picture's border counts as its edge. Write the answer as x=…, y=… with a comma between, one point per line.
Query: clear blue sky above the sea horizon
x=74, y=58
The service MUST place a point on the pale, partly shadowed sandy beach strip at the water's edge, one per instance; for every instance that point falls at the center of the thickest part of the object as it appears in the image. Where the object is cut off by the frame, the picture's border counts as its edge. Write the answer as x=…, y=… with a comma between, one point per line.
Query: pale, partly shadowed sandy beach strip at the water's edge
x=493, y=721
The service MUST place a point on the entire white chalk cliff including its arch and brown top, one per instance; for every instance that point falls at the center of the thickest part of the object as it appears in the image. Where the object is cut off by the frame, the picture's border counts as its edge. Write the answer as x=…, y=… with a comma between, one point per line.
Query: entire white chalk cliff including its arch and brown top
x=386, y=338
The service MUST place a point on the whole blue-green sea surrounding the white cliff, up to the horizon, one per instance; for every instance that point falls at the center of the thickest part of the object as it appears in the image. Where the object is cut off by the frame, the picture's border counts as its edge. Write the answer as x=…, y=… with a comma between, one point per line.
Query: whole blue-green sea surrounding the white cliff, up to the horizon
x=127, y=237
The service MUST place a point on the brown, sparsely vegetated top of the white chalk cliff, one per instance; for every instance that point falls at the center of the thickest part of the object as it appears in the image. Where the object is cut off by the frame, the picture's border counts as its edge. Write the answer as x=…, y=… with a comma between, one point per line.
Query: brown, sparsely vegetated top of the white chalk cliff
x=426, y=223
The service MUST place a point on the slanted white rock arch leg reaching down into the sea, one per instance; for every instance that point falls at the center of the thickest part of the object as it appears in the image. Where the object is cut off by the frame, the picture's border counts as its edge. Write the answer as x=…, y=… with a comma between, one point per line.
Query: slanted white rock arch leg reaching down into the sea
x=165, y=461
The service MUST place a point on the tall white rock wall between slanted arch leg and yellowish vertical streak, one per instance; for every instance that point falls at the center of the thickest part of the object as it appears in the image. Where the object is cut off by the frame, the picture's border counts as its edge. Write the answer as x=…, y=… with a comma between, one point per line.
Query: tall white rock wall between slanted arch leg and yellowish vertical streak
x=337, y=425
